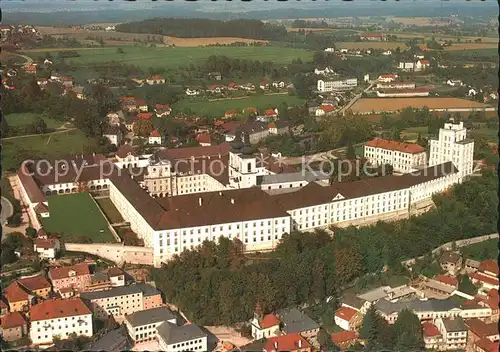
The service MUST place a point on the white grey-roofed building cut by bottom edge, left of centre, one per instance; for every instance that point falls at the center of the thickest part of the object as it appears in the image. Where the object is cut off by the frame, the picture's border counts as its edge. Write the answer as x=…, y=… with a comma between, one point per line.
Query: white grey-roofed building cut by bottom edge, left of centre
x=190, y=337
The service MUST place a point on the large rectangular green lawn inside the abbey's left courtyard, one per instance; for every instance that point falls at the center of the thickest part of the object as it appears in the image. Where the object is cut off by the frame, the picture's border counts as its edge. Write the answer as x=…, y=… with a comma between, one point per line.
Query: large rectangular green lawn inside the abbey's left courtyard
x=76, y=215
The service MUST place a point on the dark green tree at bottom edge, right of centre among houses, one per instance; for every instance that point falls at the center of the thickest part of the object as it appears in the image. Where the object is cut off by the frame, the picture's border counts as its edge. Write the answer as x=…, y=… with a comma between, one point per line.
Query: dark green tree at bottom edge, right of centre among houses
x=408, y=332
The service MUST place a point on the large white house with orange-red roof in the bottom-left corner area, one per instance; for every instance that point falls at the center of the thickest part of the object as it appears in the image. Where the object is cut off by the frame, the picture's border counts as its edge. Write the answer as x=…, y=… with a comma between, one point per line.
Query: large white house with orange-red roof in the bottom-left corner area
x=60, y=317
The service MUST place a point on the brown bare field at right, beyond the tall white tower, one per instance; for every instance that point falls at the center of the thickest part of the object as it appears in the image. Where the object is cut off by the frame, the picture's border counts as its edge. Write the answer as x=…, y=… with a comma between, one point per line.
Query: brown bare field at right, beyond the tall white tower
x=369, y=105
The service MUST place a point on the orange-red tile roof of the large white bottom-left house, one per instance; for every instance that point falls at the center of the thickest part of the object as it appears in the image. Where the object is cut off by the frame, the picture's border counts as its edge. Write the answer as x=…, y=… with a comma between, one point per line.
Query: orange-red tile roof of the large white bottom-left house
x=61, y=308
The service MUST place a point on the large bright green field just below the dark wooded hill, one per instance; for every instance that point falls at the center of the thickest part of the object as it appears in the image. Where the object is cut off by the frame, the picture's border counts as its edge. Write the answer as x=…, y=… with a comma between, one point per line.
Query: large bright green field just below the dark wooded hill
x=174, y=57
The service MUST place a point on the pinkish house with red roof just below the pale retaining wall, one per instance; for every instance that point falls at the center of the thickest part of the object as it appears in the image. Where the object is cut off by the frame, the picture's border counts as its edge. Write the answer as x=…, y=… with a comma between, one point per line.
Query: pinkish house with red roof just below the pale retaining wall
x=76, y=276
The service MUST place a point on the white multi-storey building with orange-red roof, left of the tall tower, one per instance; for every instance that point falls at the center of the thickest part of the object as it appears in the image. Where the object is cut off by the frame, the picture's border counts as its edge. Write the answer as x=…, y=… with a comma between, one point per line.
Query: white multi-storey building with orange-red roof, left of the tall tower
x=404, y=157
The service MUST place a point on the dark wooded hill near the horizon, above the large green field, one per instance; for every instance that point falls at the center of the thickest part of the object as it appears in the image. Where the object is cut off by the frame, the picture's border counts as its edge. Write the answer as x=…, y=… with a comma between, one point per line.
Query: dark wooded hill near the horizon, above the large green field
x=205, y=28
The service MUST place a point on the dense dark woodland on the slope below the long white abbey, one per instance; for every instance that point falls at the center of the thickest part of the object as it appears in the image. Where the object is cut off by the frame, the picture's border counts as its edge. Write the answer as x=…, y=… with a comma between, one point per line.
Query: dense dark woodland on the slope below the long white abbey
x=216, y=284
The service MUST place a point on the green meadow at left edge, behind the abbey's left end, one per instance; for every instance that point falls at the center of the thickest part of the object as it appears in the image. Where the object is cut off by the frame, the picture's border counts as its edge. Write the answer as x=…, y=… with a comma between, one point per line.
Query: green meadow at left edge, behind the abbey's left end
x=42, y=146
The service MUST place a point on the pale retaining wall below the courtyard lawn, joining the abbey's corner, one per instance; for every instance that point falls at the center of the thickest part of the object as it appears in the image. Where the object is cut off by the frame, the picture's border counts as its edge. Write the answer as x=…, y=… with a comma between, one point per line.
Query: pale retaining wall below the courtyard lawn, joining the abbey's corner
x=117, y=253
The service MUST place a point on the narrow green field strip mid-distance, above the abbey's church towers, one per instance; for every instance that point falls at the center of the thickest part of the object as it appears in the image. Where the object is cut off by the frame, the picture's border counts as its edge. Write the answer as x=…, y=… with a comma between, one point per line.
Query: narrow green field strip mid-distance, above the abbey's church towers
x=218, y=108
